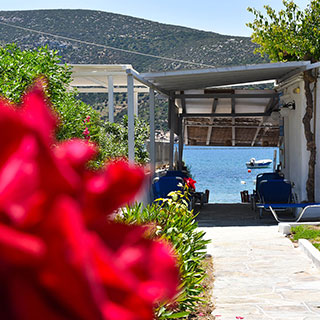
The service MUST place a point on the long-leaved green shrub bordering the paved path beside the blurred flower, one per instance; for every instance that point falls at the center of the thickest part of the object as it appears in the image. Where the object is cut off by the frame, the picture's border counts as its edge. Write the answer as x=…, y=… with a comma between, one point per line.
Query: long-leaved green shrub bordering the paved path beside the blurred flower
x=176, y=224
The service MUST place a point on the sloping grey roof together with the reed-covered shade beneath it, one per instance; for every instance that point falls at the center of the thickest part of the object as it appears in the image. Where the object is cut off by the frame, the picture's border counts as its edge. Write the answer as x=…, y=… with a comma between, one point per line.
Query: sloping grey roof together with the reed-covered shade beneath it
x=215, y=114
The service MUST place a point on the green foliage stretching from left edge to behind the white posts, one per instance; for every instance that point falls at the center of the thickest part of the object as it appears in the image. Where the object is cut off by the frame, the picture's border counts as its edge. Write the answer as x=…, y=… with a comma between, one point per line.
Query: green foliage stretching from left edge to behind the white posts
x=20, y=68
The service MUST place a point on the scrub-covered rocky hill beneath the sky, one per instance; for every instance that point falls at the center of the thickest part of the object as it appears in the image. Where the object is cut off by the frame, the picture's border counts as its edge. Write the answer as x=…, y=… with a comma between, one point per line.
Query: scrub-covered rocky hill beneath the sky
x=124, y=32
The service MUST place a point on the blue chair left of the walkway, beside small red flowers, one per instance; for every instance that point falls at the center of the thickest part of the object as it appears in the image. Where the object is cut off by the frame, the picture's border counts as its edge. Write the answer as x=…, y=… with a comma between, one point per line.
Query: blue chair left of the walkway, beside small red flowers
x=161, y=186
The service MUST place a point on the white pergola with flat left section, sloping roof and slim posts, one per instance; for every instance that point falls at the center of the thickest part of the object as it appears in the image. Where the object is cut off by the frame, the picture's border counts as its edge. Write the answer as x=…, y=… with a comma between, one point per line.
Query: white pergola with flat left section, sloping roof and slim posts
x=191, y=93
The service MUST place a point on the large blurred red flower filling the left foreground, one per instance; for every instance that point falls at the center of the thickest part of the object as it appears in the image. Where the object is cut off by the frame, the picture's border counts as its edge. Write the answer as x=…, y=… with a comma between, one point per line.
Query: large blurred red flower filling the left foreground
x=60, y=255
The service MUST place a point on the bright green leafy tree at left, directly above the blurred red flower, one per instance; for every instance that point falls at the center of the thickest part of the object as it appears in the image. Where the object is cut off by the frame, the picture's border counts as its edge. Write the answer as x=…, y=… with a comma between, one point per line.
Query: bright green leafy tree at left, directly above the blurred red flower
x=20, y=68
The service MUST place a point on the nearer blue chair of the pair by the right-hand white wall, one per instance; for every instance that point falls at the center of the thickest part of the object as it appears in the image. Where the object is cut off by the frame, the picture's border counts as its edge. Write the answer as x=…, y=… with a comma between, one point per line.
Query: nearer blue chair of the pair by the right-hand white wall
x=275, y=191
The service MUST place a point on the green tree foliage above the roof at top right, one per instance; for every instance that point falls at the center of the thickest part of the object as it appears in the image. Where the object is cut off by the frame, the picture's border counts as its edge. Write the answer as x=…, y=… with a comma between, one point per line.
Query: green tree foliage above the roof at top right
x=290, y=34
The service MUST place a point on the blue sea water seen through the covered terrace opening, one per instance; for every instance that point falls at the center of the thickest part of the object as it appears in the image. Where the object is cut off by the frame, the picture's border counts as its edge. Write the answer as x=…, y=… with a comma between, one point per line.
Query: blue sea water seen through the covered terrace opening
x=223, y=171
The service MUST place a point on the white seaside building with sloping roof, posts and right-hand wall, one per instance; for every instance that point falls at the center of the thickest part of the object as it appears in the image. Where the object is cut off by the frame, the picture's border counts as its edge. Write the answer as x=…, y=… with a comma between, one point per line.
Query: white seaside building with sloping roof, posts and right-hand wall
x=204, y=109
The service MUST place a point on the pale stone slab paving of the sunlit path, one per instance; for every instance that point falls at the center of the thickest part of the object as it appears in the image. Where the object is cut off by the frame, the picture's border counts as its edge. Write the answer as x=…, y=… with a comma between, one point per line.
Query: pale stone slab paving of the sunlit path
x=260, y=275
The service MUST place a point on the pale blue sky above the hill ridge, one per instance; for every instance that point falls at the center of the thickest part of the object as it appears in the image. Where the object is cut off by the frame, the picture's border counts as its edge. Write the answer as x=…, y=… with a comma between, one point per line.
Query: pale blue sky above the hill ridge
x=222, y=16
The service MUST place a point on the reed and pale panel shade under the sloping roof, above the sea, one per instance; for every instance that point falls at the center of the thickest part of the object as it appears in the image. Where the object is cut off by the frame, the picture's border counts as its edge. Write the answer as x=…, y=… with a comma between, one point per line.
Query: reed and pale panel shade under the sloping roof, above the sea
x=227, y=117
